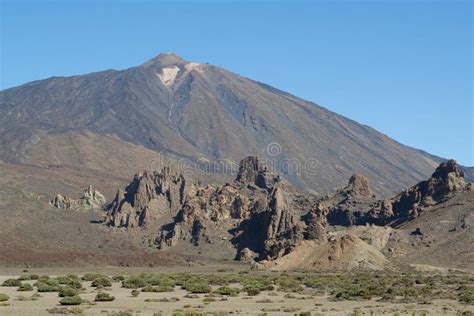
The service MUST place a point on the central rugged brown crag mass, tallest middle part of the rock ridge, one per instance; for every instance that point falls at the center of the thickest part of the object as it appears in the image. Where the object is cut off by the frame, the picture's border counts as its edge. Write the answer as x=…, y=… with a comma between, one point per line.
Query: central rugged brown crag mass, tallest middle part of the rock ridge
x=261, y=213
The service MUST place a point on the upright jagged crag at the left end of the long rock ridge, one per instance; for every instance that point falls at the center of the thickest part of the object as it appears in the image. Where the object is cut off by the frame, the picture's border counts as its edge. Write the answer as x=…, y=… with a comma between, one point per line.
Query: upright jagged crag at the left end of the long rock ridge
x=147, y=198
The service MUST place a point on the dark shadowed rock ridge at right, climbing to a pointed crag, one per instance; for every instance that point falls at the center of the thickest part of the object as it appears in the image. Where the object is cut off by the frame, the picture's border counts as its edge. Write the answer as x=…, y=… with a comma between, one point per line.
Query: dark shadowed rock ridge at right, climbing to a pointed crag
x=356, y=205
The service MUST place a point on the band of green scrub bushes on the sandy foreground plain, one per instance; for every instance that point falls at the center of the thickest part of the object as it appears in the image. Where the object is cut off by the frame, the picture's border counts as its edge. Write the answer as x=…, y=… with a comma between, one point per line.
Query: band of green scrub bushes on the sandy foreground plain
x=271, y=290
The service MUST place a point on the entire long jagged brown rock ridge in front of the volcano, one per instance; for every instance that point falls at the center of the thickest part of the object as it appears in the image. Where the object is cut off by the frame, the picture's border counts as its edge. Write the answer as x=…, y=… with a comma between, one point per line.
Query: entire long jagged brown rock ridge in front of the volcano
x=265, y=219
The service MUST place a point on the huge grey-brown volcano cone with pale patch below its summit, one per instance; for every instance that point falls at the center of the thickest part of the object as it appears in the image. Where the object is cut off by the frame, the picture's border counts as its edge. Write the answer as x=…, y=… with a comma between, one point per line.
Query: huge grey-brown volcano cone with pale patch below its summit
x=192, y=111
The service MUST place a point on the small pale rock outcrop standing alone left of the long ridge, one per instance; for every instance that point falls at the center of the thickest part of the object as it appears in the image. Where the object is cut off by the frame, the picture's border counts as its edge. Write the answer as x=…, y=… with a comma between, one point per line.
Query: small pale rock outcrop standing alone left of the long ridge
x=90, y=200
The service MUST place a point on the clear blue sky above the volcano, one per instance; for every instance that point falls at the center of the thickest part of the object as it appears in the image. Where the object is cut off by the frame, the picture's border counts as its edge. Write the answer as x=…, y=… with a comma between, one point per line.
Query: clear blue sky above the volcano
x=402, y=67
